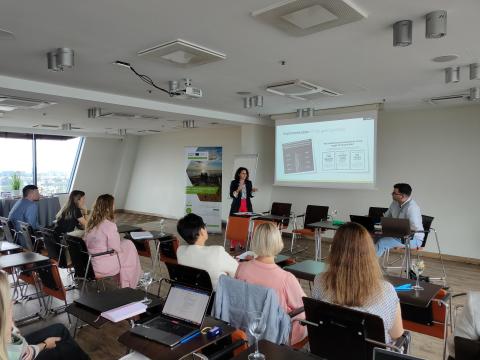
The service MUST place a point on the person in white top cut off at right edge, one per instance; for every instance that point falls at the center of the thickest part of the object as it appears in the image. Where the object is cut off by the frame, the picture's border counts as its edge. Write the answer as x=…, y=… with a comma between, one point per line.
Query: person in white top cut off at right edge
x=467, y=324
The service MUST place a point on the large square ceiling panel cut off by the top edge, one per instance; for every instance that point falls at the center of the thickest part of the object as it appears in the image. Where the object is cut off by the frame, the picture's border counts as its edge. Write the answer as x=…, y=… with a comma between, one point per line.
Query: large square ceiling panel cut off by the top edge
x=305, y=17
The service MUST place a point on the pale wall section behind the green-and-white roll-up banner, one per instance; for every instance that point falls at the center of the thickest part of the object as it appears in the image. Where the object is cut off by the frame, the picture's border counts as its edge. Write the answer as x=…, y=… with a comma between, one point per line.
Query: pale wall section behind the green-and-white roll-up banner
x=158, y=180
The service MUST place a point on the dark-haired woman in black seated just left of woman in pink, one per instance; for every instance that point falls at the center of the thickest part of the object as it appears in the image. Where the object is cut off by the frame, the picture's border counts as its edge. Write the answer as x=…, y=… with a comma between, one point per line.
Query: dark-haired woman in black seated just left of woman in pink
x=72, y=215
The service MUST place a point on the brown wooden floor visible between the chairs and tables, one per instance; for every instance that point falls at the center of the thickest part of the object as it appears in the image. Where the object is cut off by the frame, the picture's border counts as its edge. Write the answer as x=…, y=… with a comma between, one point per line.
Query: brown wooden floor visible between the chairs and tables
x=102, y=343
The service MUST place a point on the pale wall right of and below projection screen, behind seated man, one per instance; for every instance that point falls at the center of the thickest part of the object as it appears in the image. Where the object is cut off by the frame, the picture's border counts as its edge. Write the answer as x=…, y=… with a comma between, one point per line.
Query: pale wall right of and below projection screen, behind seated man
x=437, y=151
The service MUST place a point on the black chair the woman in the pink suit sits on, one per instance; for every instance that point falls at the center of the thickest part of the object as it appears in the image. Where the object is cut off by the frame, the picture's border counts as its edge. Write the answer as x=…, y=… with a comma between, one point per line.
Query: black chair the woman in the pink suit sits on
x=82, y=261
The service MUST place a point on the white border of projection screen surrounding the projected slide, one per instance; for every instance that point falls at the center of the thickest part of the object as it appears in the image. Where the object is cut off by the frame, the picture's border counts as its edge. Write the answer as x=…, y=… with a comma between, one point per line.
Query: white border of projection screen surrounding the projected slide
x=332, y=115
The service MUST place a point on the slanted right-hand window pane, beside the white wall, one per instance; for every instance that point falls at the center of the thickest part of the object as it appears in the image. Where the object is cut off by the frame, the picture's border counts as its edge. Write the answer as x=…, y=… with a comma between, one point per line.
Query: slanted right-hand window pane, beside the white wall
x=56, y=163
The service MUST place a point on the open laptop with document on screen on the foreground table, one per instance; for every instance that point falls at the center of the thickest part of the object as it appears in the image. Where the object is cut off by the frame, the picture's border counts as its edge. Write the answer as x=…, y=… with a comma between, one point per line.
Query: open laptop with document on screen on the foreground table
x=182, y=316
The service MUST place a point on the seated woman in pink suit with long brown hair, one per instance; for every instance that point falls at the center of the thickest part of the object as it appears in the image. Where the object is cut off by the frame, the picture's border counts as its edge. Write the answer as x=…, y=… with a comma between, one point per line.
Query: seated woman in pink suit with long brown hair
x=101, y=235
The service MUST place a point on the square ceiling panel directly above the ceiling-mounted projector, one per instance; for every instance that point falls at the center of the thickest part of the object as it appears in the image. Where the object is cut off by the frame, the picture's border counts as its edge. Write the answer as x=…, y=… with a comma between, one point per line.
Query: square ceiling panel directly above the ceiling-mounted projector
x=182, y=53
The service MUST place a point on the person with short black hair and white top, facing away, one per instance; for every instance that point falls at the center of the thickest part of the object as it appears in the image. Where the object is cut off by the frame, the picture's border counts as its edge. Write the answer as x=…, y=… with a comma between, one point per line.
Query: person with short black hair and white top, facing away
x=213, y=259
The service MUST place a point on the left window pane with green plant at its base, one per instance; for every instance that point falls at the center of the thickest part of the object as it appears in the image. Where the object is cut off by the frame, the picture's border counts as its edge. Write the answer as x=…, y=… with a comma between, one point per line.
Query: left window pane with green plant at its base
x=16, y=158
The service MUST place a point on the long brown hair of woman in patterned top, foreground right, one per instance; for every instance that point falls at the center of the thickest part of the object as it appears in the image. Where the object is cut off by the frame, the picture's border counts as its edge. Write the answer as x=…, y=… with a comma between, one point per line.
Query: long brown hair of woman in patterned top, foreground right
x=353, y=276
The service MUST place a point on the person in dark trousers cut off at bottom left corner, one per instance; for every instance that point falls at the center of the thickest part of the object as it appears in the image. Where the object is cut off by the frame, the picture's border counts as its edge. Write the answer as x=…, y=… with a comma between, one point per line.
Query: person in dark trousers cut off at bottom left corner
x=50, y=343
